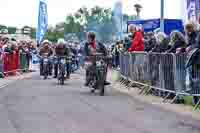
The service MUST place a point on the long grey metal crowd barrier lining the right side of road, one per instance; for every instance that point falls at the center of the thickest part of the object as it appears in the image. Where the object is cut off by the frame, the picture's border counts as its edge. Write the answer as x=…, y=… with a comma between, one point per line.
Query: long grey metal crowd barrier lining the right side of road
x=163, y=72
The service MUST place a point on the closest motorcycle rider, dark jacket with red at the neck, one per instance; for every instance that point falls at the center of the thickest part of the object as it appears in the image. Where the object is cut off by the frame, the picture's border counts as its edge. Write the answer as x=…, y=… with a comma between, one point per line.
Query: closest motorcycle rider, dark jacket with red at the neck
x=90, y=48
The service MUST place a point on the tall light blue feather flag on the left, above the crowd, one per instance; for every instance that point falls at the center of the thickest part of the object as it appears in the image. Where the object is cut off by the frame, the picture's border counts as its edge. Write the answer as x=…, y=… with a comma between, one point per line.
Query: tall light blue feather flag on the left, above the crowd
x=42, y=21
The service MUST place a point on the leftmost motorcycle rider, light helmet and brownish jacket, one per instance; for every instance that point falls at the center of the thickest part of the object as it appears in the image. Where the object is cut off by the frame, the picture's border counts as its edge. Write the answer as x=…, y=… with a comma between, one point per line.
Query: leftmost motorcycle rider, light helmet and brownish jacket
x=46, y=48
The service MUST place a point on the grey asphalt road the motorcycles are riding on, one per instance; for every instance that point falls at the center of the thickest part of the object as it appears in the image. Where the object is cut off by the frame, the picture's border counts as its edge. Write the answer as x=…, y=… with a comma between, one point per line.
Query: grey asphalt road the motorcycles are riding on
x=36, y=106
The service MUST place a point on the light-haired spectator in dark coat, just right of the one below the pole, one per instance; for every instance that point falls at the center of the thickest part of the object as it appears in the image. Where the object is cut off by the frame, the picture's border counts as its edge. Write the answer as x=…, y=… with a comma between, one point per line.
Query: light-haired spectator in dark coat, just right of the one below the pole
x=177, y=42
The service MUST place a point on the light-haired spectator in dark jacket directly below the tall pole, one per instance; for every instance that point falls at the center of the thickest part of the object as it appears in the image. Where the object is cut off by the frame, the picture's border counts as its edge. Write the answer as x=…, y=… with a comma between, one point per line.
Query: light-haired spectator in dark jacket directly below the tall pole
x=162, y=43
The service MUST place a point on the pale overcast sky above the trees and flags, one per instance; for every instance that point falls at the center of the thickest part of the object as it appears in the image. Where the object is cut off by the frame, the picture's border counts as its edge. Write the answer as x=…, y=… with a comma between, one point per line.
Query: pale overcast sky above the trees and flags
x=25, y=12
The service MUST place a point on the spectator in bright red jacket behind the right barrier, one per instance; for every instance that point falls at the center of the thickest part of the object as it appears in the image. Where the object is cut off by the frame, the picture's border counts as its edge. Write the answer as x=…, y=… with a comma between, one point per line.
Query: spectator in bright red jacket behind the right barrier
x=138, y=39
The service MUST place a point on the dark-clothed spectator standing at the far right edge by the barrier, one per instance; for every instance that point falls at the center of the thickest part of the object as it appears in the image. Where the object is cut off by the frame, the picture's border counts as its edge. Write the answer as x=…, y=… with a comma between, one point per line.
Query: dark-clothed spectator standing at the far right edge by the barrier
x=193, y=67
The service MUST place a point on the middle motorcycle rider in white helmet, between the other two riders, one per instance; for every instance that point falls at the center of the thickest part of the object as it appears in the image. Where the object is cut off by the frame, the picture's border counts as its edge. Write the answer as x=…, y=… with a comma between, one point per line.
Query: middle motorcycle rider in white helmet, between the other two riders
x=60, y=51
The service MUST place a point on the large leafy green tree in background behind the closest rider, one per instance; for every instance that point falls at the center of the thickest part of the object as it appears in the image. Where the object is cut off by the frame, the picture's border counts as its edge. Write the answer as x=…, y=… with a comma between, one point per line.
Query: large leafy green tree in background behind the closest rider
x=95, y=19
